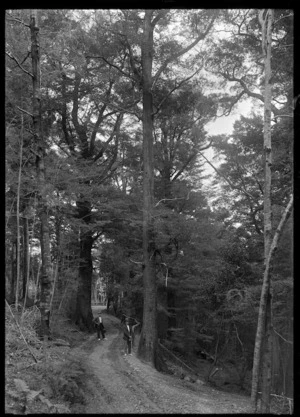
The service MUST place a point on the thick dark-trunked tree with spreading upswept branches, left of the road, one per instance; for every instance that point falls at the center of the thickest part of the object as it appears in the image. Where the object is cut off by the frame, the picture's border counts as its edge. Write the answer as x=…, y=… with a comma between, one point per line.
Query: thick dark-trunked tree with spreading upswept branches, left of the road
x=79, y=128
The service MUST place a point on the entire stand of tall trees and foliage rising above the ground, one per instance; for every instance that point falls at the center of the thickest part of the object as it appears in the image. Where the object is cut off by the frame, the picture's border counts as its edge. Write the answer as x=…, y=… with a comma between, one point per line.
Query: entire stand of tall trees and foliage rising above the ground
x=117, y=188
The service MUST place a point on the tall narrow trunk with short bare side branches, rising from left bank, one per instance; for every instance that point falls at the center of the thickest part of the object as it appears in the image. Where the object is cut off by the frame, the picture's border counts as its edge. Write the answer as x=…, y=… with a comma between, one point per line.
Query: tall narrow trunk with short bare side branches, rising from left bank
x=40, y=169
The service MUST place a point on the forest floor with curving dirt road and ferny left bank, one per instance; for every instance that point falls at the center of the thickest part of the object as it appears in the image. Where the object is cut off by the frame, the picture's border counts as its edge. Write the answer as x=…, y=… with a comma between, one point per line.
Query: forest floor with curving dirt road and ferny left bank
x=88, y=376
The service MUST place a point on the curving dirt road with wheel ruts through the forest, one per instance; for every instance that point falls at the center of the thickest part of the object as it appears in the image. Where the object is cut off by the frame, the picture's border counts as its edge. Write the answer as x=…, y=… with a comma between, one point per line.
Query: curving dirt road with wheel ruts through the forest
x=123, y=384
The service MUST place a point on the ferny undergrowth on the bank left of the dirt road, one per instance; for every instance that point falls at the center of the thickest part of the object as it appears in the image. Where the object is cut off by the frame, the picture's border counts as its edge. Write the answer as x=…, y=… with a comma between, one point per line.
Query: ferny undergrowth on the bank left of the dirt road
x=40, y=377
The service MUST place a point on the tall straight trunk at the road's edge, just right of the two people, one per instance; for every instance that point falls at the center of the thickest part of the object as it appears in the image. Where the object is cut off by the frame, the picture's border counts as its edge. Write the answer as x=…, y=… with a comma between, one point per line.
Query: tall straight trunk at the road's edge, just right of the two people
x=148, y=341
